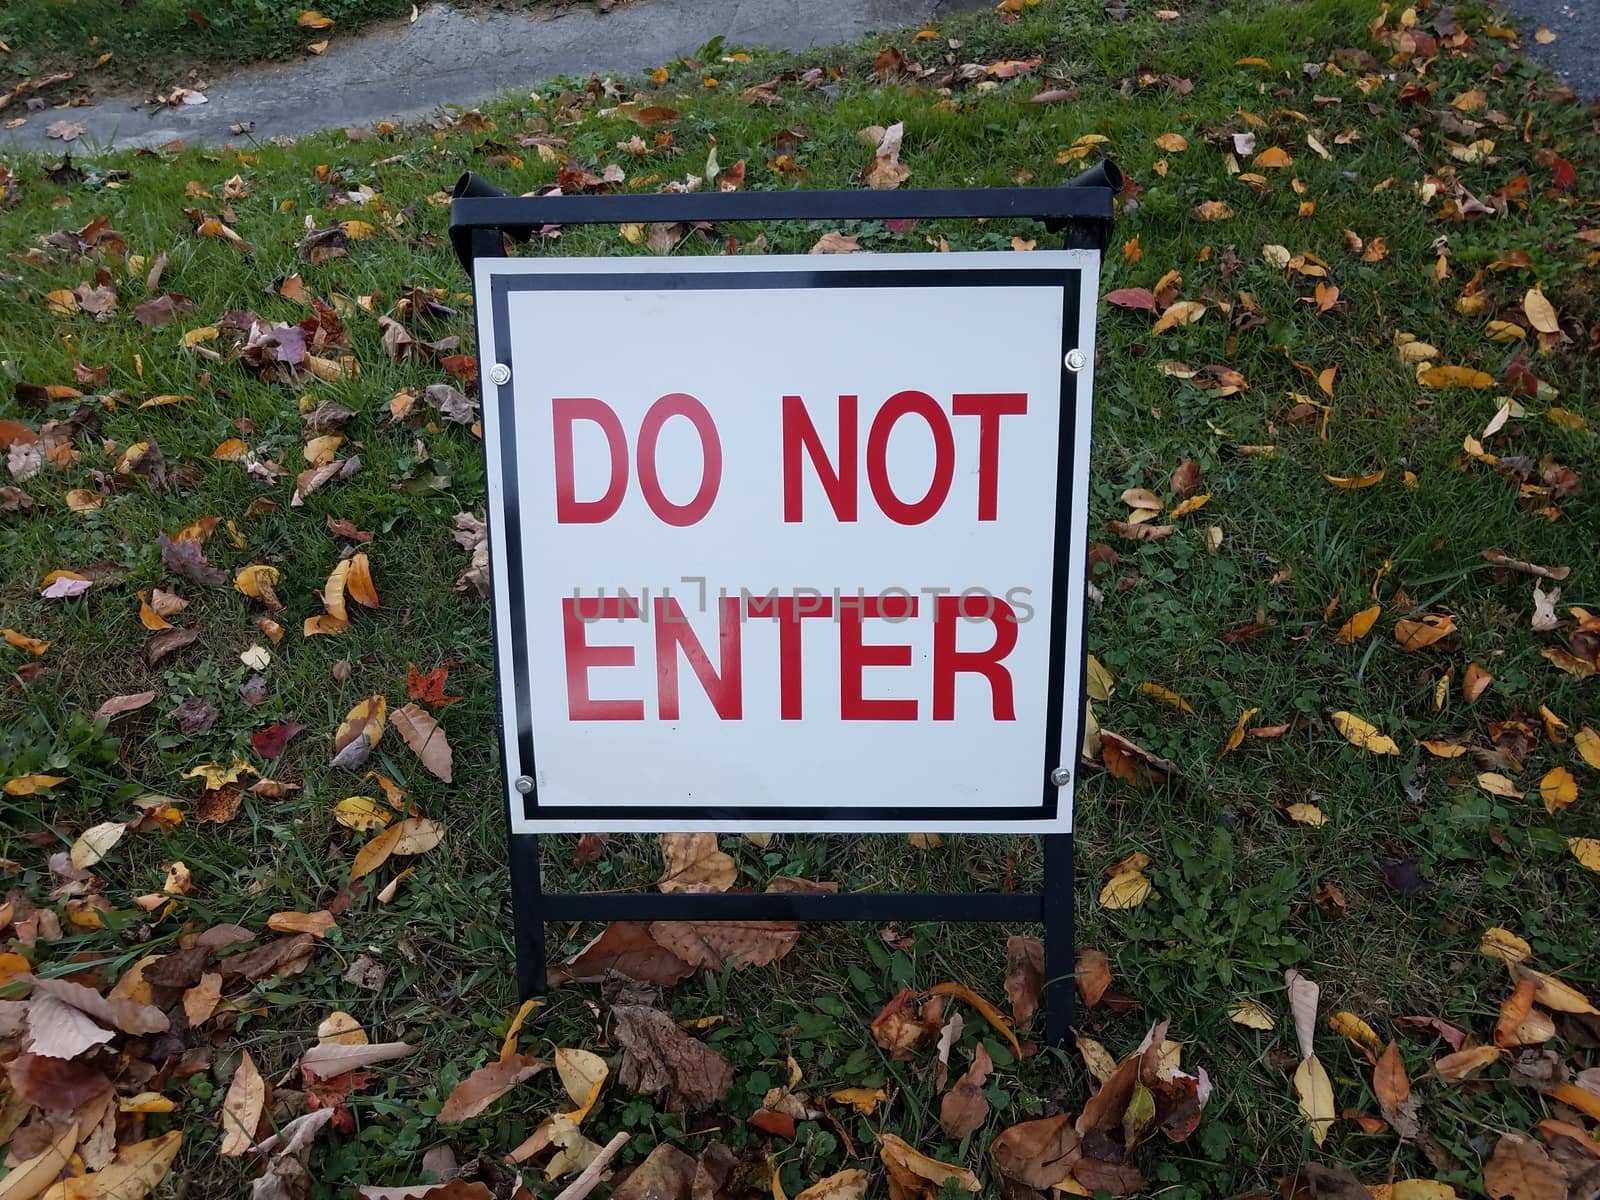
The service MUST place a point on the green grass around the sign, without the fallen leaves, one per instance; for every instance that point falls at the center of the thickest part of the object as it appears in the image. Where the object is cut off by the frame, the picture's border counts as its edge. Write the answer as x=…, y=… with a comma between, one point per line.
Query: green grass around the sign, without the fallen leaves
x=1234, y=882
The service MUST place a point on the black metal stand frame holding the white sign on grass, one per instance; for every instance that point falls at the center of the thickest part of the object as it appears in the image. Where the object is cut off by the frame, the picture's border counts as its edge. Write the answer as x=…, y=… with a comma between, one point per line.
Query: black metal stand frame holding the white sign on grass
x=481, y=218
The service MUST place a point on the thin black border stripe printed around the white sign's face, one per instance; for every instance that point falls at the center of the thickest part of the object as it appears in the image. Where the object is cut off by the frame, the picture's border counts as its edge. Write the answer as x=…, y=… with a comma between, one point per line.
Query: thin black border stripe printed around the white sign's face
x=1065, y=542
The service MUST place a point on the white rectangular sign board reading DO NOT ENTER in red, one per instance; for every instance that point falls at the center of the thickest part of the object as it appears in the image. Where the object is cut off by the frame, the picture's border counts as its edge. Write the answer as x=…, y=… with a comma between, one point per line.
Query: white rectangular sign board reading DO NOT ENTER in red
x=790, y=543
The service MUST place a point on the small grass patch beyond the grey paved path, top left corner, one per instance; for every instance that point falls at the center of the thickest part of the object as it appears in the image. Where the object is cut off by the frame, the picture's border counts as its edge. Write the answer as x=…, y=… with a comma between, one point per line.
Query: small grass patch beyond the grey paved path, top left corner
x=161, y=42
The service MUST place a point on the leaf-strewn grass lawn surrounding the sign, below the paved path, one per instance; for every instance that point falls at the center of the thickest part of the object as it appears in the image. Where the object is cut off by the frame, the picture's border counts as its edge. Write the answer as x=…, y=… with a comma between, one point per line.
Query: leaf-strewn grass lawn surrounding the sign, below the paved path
x=1431, y=231
